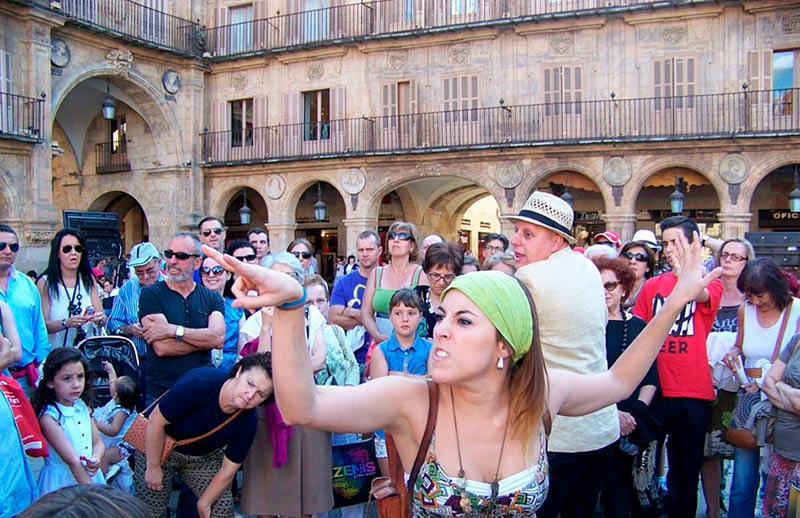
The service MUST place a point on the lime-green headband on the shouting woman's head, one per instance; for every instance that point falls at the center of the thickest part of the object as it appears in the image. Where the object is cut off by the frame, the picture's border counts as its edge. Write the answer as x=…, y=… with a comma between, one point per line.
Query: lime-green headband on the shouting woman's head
x=502, y=299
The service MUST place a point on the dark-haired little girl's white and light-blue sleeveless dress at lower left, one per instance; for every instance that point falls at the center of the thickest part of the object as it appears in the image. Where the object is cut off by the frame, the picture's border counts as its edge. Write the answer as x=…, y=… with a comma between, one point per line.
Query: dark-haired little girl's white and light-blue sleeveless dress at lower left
x=76, y=423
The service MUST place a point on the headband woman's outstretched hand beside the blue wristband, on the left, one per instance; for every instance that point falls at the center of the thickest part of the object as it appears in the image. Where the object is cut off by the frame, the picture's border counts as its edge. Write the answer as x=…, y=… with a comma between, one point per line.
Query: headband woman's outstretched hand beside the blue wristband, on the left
x=273, y=287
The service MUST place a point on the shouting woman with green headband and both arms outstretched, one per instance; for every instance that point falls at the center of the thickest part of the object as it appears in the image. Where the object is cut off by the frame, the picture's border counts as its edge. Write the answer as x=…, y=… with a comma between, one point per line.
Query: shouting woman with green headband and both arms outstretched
x=487, y=454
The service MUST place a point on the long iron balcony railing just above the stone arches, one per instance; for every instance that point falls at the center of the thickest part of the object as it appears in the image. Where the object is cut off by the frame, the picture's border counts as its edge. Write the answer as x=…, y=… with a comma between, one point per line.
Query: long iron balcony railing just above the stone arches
x=740, y=114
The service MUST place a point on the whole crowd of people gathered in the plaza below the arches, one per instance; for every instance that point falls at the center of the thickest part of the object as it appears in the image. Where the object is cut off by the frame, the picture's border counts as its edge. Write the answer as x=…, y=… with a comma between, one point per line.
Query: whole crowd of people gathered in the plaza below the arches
x=618, y=397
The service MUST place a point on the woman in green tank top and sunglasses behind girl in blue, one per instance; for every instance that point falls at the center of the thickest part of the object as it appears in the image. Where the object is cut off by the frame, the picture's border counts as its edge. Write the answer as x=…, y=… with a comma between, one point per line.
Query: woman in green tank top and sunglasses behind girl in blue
x=402, y=271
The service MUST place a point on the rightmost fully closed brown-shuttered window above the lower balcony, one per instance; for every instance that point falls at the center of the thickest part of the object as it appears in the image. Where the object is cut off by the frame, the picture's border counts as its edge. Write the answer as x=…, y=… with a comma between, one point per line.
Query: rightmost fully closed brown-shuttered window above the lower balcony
x=674, y=83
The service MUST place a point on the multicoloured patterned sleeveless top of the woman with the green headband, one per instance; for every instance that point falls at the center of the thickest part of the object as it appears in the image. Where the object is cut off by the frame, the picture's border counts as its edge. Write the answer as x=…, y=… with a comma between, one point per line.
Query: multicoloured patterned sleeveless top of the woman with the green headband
x=438, y=494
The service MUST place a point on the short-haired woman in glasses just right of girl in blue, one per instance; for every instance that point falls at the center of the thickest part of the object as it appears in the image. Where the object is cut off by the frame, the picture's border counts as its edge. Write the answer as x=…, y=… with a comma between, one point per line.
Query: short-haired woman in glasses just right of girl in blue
x=443, y=262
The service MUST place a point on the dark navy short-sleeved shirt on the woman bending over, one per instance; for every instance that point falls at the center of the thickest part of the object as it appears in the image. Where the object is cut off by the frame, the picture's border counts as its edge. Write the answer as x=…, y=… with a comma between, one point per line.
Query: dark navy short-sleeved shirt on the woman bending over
x=192, y=408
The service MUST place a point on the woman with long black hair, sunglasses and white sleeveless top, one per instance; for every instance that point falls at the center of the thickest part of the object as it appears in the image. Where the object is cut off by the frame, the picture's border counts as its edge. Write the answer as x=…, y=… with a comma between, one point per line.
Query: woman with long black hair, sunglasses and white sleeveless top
x=70, y=299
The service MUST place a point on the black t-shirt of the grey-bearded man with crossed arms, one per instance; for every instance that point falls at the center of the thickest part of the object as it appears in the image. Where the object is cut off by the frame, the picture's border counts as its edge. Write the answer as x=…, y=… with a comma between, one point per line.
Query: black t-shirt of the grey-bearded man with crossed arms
x=190, y=312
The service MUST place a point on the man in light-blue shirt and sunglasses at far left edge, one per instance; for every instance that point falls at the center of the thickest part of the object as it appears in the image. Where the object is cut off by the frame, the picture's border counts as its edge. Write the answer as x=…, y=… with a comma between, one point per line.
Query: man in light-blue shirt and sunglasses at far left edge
x=20, y=293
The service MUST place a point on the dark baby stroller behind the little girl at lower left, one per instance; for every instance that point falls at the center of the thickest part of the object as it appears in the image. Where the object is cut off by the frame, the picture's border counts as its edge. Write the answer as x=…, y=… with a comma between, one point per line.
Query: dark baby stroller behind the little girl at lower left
x=117, y=350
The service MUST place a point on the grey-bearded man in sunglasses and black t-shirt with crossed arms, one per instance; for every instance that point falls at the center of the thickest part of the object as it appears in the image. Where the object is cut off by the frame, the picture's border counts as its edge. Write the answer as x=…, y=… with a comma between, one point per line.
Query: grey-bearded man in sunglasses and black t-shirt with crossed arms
x=181, y=320
